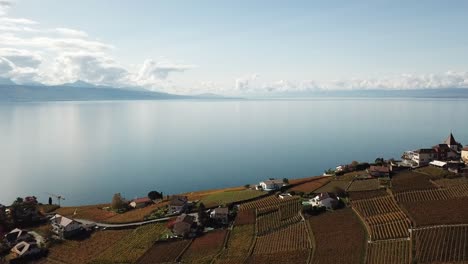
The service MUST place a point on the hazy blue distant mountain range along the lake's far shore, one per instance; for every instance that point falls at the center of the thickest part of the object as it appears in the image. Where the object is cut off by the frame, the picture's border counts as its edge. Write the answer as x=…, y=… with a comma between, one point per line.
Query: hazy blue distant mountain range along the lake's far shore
x=83, y=91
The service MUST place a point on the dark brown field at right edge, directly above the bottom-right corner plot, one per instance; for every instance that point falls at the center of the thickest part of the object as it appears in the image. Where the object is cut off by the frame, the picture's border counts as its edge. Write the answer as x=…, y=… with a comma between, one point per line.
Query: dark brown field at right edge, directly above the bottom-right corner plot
x=424, y=213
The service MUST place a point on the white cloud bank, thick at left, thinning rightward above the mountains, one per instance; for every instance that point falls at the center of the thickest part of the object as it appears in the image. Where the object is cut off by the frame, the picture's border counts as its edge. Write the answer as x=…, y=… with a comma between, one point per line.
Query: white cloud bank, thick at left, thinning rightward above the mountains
x=31, y=53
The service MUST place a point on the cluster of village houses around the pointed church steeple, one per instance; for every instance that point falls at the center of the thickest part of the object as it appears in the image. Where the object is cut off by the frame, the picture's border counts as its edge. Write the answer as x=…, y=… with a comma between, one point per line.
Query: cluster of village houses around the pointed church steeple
x=450, y=154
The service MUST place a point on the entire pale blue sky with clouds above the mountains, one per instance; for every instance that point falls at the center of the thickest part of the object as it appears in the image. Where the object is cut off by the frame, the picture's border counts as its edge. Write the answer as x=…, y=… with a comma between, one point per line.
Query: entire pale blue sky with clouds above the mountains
x=236, y=47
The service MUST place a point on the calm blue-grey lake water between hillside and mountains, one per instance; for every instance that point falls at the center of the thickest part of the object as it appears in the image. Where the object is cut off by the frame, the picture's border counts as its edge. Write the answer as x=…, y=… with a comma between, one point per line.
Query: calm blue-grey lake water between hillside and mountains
x=87, y=151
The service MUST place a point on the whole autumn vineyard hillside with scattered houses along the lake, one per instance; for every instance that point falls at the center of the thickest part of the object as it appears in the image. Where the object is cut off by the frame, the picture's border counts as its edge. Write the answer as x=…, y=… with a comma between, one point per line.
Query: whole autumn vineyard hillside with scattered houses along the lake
x=275, y=217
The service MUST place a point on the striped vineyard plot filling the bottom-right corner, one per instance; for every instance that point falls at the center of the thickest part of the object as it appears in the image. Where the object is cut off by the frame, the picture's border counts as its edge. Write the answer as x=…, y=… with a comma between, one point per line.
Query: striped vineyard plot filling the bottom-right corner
x=442, y=244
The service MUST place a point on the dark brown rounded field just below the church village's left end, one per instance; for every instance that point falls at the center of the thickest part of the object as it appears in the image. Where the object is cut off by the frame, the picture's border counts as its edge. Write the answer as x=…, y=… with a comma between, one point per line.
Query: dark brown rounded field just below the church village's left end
x=410, y=180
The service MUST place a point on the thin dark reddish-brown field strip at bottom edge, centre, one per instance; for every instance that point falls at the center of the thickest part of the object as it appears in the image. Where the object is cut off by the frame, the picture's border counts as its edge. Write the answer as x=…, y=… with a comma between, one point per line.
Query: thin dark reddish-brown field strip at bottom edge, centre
x=299, y=257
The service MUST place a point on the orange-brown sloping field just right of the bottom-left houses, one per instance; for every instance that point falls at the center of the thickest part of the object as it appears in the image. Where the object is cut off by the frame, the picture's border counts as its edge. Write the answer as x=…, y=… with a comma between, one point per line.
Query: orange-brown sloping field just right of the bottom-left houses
x=77, y=252
